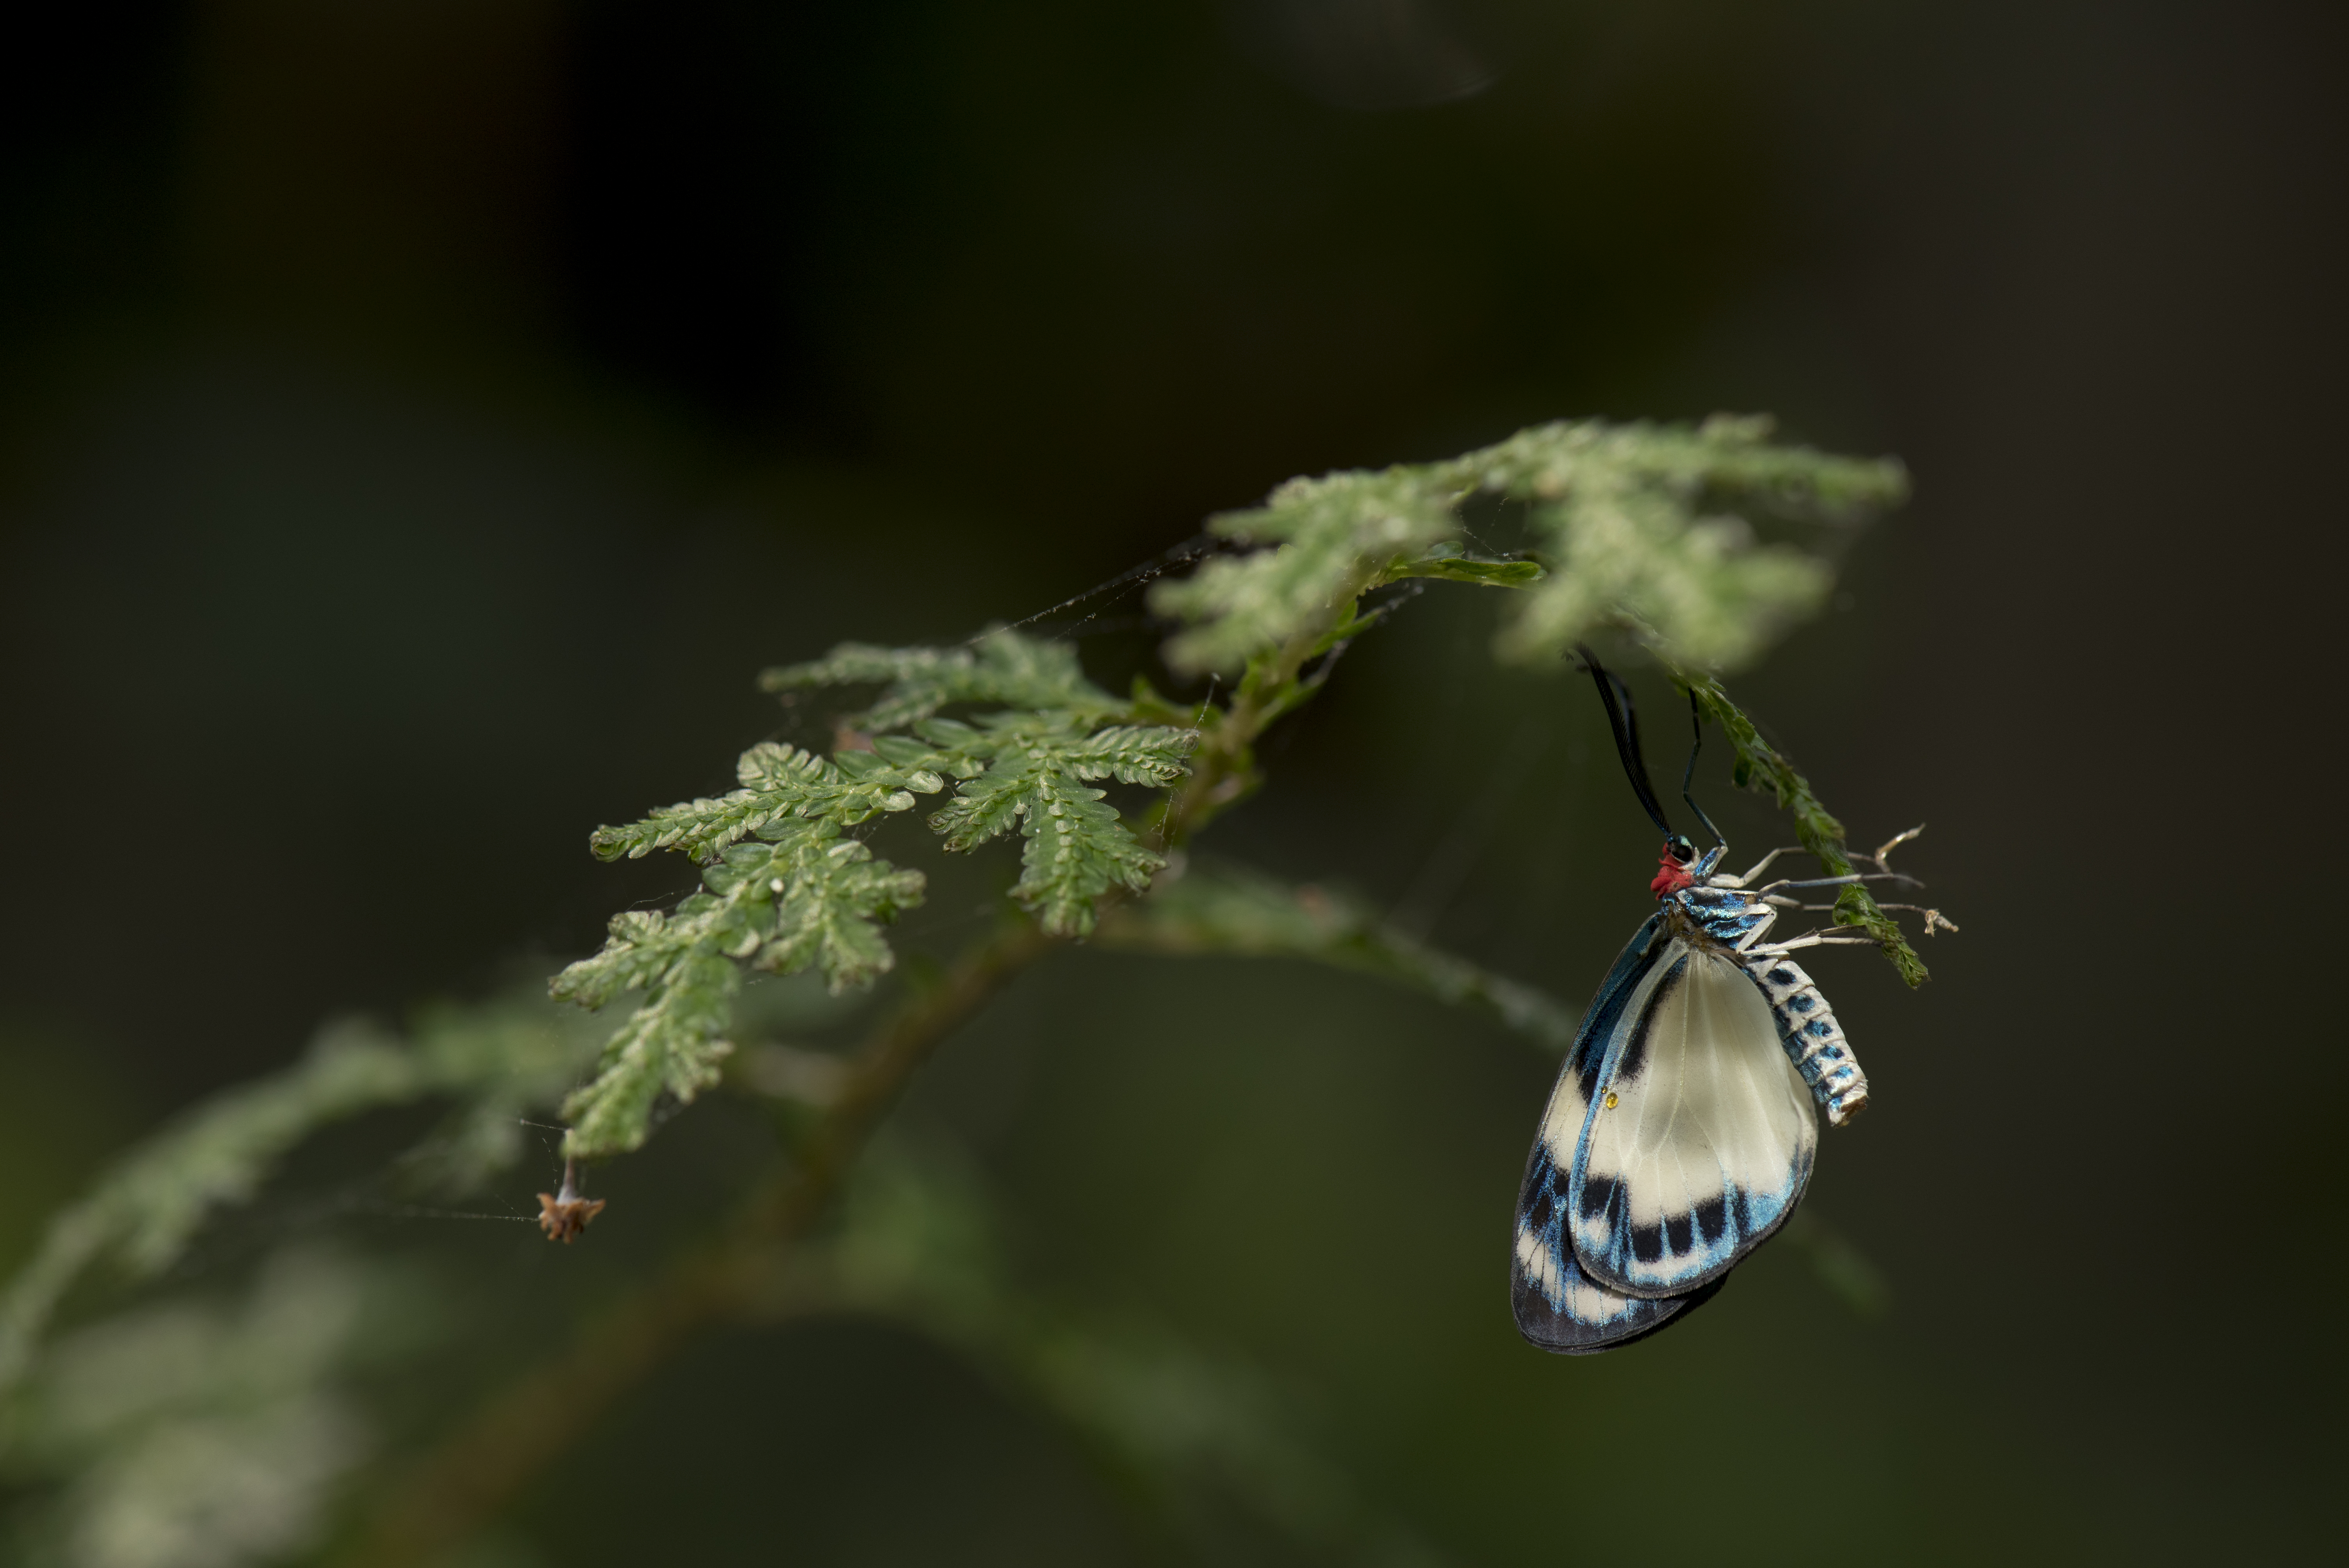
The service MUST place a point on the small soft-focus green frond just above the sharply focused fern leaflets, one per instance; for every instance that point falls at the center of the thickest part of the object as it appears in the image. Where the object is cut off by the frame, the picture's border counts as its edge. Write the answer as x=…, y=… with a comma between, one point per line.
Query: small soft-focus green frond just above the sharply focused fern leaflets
x=1002, y=668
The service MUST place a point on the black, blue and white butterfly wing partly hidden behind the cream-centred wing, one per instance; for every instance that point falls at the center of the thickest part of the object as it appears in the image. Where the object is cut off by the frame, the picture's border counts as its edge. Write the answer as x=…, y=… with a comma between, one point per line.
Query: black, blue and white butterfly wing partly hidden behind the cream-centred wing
x=1559, y=1306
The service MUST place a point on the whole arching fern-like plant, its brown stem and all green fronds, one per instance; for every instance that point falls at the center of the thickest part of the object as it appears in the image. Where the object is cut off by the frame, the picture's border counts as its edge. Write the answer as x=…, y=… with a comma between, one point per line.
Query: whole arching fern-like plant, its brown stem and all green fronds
x=189, y=1435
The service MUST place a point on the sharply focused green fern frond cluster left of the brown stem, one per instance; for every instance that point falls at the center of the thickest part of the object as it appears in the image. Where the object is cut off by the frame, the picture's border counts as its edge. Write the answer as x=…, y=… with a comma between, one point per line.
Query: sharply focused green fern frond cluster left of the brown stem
x=790, y=893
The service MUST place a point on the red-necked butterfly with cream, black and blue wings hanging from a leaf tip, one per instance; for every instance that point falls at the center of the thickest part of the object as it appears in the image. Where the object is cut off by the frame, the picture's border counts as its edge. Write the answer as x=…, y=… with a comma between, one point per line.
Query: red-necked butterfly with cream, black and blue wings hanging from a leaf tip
x=1683, y=1130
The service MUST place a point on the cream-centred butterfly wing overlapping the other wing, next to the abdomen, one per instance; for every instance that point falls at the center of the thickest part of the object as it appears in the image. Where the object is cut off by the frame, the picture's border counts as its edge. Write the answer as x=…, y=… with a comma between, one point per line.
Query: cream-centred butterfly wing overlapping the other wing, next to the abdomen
x=1709, y=1140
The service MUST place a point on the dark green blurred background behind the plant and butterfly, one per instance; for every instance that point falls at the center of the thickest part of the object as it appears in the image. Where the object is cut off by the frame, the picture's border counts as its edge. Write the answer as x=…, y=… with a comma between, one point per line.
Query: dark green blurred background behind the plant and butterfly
x=426, y=419
